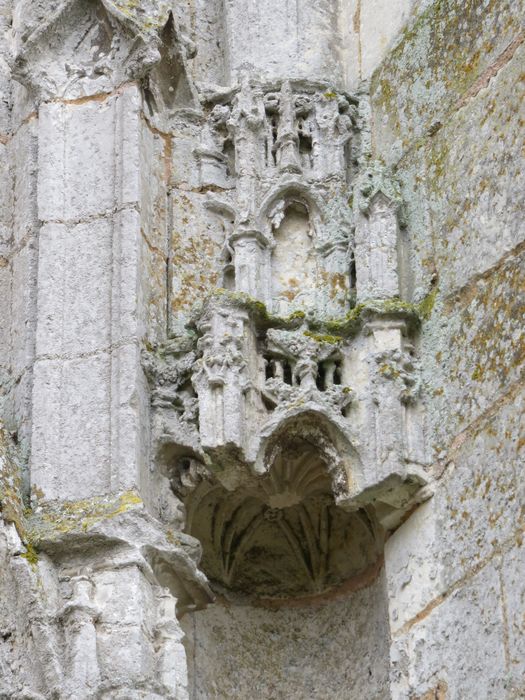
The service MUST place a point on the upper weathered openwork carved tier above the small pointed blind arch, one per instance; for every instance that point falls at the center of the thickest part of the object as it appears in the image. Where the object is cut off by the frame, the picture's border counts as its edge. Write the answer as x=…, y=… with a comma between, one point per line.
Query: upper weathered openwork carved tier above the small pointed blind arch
x=263, y=131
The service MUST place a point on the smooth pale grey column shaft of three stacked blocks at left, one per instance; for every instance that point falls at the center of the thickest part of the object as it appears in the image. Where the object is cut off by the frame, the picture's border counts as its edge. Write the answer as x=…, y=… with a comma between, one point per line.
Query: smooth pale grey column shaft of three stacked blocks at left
x=88, y=383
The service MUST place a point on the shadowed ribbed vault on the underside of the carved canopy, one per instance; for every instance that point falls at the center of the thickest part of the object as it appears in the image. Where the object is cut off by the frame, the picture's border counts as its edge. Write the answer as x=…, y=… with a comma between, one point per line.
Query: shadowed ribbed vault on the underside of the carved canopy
x=282, y=535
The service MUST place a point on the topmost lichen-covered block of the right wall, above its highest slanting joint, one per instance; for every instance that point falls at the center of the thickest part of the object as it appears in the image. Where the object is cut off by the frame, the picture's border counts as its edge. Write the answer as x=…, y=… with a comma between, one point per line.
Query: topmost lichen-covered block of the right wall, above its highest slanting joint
x=449, y=47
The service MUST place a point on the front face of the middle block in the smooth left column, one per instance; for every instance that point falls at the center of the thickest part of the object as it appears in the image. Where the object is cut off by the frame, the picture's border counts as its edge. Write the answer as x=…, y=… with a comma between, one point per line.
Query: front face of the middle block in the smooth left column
x=74, y=288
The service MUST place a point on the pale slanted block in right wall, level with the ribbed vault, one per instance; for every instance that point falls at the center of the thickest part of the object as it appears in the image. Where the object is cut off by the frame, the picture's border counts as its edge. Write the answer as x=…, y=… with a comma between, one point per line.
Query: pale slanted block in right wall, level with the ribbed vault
x=475, y=511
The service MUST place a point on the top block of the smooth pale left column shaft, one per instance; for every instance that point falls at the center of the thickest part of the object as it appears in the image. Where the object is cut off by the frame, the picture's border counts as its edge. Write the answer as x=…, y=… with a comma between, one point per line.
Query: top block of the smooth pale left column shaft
x=79, y=145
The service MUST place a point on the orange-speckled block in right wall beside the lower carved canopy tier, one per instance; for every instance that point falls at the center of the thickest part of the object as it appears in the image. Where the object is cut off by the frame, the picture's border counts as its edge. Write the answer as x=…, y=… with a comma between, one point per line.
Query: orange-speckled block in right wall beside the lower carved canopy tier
x=473, y=348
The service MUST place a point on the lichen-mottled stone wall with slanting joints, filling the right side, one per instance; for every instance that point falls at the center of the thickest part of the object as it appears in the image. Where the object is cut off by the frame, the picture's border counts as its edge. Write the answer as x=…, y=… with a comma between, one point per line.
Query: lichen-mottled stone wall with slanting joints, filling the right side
x=448, y=112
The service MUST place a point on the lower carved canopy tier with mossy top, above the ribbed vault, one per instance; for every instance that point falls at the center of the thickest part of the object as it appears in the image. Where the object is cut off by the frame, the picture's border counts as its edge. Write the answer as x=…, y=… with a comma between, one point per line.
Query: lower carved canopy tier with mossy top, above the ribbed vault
x=246, y=375
